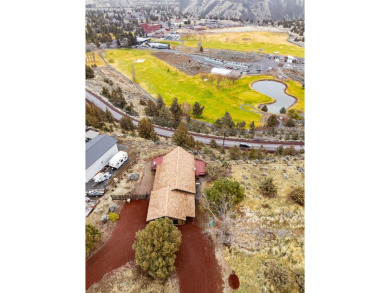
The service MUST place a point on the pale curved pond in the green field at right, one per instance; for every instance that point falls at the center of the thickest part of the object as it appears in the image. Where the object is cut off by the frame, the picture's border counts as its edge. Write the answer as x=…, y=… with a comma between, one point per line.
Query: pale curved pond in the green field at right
x=275, y=90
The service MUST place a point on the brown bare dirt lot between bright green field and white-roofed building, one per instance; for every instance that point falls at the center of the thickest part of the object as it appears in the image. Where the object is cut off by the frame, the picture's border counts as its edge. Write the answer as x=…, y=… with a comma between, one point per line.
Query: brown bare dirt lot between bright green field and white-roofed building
x=183, y=63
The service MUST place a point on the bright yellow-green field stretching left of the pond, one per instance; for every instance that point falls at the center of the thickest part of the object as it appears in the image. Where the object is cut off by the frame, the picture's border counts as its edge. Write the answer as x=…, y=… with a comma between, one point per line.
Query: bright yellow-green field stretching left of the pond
x=158, y=77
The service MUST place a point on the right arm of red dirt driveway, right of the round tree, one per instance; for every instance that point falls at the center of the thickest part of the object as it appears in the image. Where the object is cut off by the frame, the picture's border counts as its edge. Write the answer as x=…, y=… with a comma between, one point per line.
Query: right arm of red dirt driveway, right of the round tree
x=196, y=265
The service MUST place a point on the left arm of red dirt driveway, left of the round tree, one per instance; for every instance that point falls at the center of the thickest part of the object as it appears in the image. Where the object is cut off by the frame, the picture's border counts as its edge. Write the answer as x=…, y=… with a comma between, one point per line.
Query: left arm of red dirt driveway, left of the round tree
x=117, y=250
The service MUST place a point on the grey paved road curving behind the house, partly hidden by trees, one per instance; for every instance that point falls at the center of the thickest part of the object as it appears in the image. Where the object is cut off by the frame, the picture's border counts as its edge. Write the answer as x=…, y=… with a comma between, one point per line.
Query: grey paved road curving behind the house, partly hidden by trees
x=117, y=114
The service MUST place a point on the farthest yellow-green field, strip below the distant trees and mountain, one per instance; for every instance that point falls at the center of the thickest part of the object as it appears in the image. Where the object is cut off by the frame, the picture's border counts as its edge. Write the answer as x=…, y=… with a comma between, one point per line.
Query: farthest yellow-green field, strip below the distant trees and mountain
x=268, y=42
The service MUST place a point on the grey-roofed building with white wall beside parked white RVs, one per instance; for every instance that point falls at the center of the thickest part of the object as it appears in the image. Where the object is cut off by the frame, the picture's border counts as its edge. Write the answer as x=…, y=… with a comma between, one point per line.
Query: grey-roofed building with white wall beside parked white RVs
x=97, y=154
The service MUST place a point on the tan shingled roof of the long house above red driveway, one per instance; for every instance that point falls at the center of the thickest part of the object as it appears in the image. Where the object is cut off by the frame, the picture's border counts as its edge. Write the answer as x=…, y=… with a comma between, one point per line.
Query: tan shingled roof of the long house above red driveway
x=173, y=193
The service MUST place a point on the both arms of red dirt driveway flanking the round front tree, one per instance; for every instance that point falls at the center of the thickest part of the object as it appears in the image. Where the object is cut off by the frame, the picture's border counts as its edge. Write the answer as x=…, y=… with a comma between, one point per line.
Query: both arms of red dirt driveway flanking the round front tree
x=196, y=265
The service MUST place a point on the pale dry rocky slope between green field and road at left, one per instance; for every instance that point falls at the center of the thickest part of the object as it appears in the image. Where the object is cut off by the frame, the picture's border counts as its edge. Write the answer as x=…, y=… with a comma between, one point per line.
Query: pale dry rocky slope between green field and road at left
x=130, y=92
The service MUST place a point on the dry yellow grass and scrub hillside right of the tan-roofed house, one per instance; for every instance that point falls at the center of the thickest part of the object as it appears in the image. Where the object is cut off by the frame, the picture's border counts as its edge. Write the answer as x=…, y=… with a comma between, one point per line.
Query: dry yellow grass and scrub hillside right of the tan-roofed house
x=278, y=224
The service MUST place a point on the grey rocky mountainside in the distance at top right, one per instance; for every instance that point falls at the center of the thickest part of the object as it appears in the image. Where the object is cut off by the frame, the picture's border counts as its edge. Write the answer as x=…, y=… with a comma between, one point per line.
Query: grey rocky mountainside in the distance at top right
x=245, y=9
